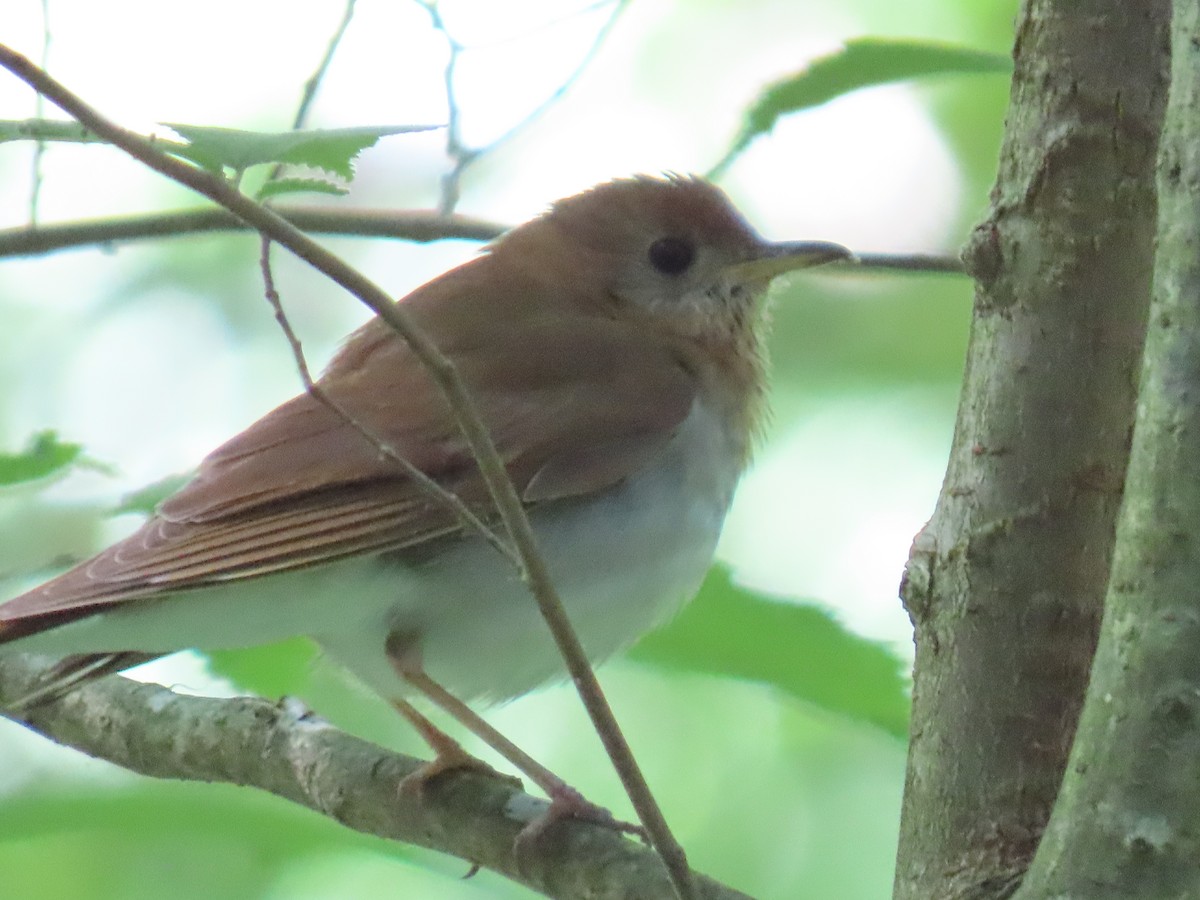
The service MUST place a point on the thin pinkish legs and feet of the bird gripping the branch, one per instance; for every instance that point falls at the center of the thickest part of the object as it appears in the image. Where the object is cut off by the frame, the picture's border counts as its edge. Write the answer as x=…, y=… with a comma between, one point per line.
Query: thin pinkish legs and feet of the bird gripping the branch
x=565, y=801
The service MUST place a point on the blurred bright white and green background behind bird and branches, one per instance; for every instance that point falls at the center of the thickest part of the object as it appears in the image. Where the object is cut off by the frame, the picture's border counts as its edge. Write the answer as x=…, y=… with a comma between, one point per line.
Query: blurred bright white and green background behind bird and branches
x=771, y=717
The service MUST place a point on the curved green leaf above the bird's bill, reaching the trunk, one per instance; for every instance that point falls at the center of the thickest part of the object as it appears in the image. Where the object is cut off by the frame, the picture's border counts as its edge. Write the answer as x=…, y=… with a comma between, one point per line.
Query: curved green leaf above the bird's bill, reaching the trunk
x=862, y=63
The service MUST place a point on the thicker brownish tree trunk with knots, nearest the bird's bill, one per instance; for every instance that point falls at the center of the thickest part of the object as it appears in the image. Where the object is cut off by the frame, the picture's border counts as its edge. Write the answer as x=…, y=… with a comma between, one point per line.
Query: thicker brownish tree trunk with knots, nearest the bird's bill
x=1006, y=584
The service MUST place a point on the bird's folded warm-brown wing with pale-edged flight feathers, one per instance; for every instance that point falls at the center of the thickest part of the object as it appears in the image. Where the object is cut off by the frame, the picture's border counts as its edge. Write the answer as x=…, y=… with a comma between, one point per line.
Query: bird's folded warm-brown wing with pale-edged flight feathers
x=573, y=409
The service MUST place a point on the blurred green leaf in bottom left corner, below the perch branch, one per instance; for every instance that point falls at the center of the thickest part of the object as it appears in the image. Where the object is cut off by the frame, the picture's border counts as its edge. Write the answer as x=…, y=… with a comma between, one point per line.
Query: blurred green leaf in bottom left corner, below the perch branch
x=124, y=844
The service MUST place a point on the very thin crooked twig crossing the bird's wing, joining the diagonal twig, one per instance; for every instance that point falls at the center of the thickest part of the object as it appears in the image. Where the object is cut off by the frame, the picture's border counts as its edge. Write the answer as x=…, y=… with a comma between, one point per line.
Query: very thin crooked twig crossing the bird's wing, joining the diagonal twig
x=433, y=489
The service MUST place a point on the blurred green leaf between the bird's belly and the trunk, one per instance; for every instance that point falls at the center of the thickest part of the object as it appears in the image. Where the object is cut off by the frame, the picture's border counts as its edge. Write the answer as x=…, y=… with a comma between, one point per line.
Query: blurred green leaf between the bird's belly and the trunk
x=801, y=650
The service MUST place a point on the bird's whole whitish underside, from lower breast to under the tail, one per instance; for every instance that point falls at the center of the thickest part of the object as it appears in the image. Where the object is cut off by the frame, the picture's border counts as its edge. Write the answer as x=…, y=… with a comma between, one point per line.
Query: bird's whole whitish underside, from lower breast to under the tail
x=622, y=562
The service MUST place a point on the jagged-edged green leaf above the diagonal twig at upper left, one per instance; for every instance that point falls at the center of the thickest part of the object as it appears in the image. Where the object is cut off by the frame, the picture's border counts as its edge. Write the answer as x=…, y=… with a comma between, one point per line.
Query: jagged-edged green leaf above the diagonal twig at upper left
x=331, y=149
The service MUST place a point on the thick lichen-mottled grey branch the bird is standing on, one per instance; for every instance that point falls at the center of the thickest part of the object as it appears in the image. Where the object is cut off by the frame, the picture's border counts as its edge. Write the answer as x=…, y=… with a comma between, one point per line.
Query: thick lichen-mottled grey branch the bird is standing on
x=285, y=751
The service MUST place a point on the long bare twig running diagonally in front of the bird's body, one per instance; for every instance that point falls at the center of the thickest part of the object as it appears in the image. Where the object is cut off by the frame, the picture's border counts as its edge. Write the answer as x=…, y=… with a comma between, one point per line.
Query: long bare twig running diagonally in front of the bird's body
x=459, y=399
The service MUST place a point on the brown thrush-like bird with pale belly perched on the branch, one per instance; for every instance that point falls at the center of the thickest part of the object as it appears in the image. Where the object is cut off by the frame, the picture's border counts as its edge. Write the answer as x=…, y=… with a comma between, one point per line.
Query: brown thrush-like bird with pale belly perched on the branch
x=614, y=347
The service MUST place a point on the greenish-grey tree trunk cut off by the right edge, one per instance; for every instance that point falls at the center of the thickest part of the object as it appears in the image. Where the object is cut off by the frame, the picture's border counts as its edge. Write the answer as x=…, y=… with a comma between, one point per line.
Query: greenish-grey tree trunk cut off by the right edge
x=1129, y=820
